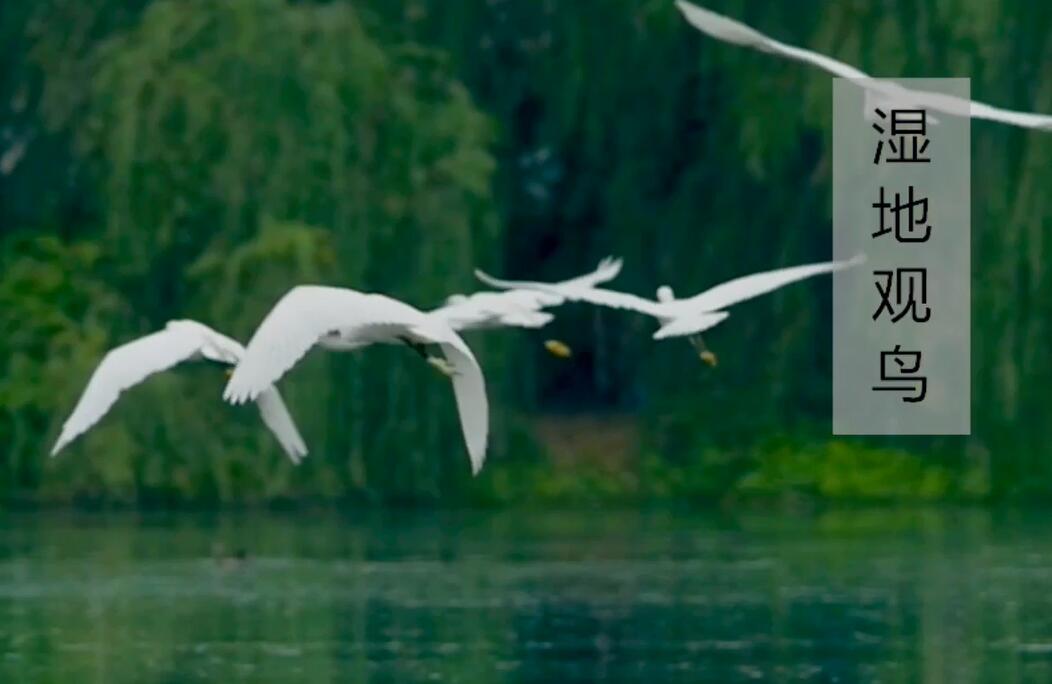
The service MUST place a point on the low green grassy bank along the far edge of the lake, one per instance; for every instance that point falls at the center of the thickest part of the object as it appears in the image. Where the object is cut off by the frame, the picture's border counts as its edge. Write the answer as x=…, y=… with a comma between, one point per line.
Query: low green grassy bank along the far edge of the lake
x=773, y=473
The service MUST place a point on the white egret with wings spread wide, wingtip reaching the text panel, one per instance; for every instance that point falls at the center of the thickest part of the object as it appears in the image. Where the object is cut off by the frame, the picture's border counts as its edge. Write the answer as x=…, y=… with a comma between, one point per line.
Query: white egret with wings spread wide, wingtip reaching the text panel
x=683, y=317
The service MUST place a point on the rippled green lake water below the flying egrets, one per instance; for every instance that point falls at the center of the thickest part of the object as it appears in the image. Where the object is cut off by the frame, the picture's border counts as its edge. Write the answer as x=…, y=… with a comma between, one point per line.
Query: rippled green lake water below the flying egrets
x=947, y=596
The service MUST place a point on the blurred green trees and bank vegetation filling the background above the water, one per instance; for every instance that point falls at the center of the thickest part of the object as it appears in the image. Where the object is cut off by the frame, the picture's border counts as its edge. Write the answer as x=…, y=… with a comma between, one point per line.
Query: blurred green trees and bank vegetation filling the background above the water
x=195, y=159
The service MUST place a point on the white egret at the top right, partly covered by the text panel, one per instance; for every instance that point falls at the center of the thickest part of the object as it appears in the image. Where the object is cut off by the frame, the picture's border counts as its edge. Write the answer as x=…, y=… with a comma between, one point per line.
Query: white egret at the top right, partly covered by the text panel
x=734, y=32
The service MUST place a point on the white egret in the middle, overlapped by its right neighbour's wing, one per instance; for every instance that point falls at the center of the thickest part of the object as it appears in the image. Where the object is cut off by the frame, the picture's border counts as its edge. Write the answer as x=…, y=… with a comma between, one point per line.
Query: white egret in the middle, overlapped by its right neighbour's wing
x=518, y=308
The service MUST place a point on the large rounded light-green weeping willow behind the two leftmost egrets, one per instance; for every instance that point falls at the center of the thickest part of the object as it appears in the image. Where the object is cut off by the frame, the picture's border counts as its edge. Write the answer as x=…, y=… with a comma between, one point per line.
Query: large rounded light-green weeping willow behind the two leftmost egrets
x=237, y=150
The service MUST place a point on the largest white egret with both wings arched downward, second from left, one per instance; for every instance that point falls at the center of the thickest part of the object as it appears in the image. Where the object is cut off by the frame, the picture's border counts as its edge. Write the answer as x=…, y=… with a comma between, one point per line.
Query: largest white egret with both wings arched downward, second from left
x=342, y=319
